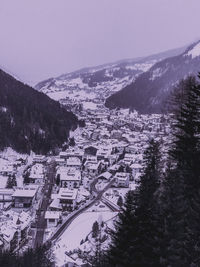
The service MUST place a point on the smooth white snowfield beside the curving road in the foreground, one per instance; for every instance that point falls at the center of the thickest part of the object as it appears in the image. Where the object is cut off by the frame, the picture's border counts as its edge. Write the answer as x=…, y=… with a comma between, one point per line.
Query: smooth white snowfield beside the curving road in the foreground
x=77, y=231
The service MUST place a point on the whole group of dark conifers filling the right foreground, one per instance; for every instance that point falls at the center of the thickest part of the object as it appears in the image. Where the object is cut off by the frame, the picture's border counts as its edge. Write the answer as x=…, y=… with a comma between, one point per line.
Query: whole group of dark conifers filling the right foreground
x=159, y=224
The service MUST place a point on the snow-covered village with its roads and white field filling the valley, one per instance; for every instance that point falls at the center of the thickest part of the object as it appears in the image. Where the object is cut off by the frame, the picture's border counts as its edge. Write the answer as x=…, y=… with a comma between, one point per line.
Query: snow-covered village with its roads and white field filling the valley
x=61, y=198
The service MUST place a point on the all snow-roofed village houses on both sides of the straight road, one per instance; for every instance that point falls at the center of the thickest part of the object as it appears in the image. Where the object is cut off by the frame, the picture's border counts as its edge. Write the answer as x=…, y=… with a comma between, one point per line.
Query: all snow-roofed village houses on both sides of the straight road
x=109, y=148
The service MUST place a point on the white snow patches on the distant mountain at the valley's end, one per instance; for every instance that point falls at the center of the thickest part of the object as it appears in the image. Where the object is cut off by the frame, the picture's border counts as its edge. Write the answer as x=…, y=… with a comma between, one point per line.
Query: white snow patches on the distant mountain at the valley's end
x=74, y=89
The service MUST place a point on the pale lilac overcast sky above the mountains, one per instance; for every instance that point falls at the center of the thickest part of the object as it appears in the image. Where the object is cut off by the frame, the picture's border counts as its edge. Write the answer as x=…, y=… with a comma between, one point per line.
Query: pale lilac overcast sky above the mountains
x=45, y=38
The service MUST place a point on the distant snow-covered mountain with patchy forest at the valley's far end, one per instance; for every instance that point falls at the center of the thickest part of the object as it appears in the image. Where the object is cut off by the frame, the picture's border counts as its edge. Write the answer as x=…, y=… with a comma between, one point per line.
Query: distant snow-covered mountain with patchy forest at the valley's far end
x=102, y=81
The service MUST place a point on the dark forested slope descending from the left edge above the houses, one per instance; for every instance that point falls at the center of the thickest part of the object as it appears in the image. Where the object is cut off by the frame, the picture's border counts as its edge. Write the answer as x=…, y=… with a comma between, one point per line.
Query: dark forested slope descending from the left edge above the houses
x=30, y=120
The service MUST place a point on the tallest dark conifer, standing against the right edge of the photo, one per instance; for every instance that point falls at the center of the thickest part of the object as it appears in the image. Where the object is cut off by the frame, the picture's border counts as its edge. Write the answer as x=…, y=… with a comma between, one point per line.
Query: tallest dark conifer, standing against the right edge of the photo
x=182, y=185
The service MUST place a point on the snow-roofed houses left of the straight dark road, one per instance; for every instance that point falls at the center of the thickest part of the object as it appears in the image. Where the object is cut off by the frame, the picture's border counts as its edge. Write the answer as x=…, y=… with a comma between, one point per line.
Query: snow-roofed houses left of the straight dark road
x=17, y=202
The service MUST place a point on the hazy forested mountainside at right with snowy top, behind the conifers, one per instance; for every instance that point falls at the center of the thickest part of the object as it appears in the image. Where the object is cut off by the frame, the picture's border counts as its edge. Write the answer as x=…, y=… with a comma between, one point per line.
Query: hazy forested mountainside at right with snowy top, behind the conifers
x=149, y=91
